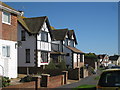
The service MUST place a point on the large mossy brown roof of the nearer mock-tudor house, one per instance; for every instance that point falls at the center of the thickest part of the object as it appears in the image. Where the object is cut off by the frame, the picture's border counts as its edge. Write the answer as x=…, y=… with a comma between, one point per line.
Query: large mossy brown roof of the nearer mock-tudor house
x=33, y=25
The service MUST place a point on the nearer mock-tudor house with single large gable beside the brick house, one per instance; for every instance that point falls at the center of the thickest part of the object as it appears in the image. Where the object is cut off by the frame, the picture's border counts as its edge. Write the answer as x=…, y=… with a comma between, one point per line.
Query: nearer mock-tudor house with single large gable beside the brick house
x=34, y=39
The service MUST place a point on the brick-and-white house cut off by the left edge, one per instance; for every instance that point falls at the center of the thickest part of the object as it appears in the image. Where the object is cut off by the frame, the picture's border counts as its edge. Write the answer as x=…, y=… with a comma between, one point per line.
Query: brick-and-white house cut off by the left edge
x=8, y=40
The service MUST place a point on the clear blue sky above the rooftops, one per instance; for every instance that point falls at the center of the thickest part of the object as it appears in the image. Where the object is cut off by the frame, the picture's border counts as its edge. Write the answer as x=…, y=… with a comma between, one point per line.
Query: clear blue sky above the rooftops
x=95, y=23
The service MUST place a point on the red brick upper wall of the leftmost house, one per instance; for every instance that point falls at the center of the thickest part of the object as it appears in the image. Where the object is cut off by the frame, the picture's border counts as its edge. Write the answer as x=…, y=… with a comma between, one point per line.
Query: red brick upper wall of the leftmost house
x=9, y=32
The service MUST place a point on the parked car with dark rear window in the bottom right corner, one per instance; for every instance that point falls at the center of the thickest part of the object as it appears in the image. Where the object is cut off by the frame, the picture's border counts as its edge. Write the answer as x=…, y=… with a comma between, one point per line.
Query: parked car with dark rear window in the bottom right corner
x=109, y=80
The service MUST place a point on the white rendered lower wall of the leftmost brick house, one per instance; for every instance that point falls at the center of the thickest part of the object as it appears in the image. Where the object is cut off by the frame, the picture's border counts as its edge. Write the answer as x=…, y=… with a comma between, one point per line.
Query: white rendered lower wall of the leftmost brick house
x=9, y=64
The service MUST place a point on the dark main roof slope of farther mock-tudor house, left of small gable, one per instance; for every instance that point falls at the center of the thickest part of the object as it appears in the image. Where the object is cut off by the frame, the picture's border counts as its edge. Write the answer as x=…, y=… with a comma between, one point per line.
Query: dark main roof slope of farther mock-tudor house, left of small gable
x=59, y=34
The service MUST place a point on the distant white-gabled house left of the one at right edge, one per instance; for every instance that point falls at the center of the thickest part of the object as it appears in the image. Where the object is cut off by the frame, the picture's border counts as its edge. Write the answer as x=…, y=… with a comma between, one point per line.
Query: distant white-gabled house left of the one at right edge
x=103, y=59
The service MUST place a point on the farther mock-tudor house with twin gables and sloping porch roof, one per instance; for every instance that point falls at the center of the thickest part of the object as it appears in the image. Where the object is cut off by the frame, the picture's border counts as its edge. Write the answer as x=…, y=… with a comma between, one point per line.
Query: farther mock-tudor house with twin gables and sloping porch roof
x=63, y=47
